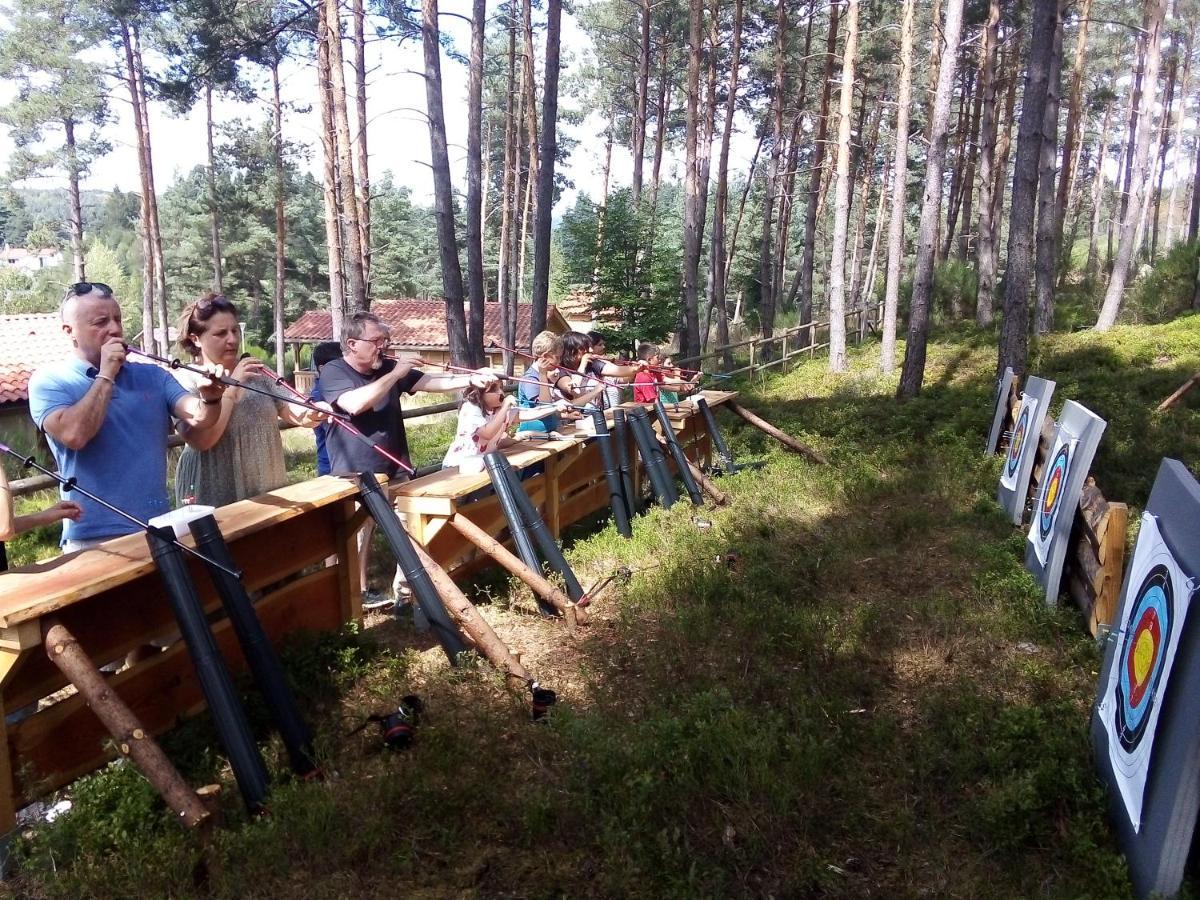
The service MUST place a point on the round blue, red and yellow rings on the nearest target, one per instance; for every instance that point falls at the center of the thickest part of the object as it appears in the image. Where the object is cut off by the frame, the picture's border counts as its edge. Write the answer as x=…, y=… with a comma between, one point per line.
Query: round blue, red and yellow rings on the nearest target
x=1148, y=631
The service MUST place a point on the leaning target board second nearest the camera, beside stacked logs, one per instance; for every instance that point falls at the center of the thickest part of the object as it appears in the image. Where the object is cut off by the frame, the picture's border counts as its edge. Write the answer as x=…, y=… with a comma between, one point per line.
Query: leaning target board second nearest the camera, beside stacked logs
x=1072, y=451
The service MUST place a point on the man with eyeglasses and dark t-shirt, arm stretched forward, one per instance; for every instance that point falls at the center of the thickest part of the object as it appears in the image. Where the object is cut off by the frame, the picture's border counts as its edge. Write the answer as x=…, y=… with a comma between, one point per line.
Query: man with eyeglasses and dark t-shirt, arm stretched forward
x=368, y=386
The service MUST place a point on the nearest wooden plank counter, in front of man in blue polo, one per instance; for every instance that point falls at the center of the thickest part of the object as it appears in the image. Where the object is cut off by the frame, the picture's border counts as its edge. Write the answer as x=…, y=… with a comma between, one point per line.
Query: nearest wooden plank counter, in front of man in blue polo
x=113, y=601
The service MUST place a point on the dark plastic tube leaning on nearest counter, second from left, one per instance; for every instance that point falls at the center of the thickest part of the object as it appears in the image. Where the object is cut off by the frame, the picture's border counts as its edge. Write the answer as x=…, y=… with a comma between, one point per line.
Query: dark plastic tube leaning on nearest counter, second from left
x=256, y=647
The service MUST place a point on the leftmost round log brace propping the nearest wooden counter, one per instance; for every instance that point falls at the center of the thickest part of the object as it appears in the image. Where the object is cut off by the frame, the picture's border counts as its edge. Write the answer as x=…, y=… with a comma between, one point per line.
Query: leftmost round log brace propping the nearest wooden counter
x=131, y=739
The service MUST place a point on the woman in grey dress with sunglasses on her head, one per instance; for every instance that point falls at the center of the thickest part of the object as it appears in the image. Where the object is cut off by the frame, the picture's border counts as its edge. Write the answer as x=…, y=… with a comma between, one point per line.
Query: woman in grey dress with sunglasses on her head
x=243, y=454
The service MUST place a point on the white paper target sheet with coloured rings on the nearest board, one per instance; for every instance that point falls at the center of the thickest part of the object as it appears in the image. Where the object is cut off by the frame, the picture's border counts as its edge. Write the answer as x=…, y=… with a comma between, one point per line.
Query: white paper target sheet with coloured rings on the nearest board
x=1153, y=614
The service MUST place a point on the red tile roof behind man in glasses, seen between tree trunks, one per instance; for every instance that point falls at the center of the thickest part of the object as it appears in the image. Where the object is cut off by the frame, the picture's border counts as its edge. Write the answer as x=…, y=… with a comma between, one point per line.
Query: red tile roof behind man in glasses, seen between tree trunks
x=421, y=323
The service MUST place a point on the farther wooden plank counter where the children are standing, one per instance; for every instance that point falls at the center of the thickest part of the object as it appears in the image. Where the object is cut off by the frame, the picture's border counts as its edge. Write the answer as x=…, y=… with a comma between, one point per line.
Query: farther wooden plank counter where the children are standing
x=568, y=487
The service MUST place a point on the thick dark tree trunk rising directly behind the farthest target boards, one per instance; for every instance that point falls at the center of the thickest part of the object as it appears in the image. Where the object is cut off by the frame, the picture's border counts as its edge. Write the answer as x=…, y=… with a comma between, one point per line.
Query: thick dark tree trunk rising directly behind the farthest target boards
x=1015, y=333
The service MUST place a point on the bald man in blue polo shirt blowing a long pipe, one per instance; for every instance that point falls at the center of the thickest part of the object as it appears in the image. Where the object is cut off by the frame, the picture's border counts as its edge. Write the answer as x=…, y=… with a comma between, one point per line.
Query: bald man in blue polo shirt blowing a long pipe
x=107, y=423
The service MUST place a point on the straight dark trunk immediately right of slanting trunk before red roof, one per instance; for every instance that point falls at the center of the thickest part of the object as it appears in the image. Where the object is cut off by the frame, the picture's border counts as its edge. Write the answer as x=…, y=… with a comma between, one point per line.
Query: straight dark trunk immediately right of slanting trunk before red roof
x=476, y=188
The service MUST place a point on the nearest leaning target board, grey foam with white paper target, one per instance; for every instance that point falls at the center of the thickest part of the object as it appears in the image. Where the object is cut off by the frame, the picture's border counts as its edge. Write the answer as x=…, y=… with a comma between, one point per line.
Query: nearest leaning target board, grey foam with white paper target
x=1147, y=723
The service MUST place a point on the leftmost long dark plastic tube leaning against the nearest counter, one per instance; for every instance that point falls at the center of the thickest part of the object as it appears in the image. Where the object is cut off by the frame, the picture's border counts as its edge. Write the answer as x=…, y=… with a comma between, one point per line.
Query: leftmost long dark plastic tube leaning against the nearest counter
x=229, y=715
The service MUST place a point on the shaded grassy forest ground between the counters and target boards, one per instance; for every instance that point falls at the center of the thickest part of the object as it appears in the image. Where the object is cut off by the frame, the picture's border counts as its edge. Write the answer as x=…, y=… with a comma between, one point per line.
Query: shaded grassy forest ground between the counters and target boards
x=848, y=686
